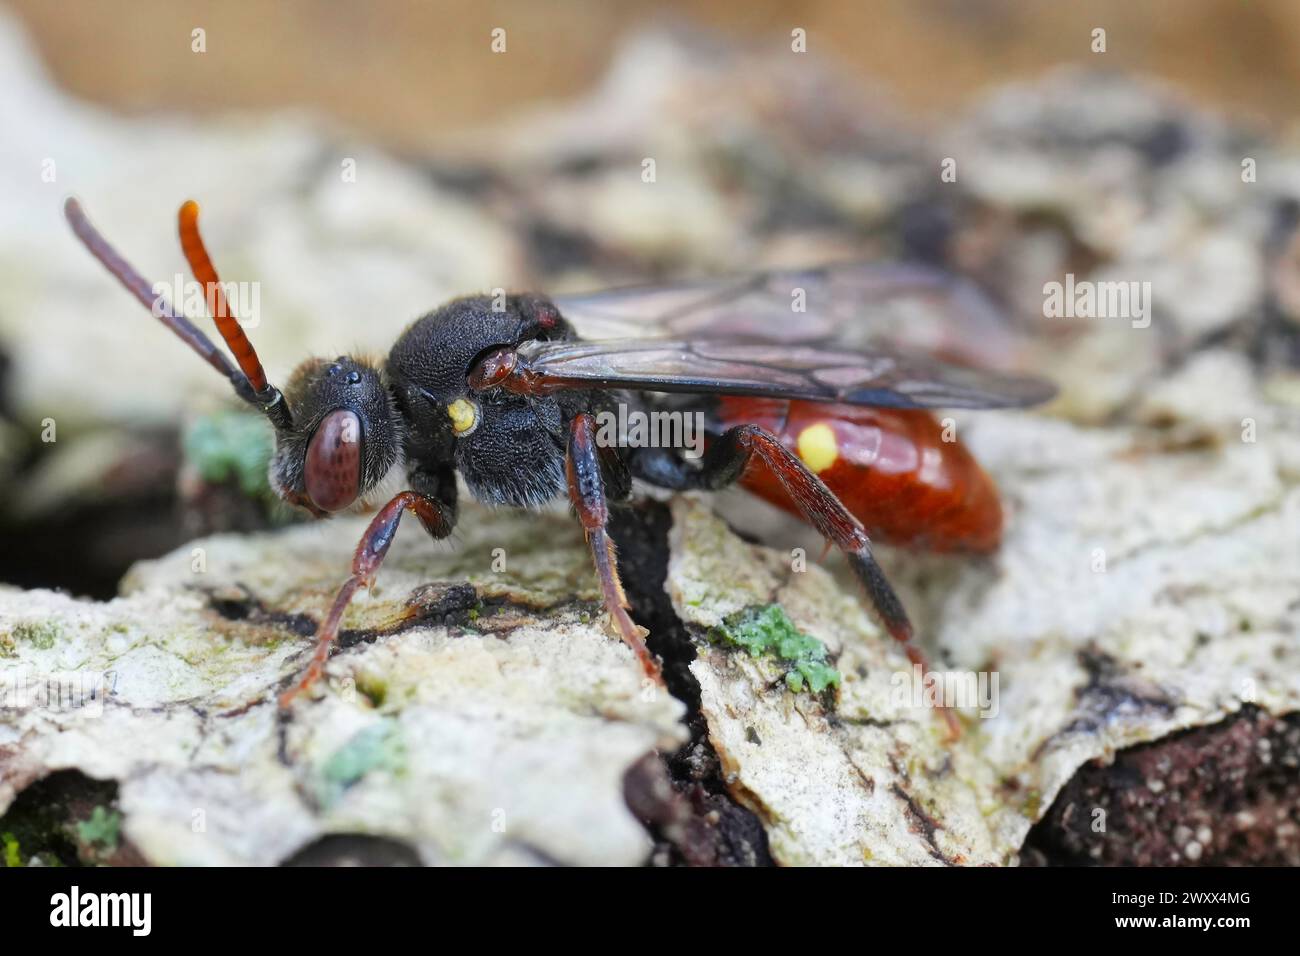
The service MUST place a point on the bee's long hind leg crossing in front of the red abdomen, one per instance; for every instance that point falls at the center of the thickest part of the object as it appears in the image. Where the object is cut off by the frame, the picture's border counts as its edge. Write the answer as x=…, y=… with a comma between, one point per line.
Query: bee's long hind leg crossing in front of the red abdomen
x=723, y=465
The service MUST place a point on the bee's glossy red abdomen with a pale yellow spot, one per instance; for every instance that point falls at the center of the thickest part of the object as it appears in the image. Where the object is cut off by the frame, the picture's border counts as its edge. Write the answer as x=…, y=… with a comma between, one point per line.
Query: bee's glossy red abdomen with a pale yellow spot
x=891, y=469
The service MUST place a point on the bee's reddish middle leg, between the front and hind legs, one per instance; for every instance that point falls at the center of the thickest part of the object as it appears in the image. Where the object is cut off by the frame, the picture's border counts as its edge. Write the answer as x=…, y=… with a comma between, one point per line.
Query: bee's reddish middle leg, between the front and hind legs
x=587, y=492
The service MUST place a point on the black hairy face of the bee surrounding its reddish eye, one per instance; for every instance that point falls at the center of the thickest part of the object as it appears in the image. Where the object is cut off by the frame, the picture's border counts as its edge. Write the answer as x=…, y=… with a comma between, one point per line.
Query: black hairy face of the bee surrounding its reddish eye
x=319, y=390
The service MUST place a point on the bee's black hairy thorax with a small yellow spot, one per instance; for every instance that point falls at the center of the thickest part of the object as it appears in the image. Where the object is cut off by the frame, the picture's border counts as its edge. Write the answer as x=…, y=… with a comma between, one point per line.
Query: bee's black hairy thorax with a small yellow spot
x=510, y=449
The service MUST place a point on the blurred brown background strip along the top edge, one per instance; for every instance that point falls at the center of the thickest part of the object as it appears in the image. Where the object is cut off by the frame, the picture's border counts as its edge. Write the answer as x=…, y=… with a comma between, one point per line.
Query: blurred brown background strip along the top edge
x=414, y=71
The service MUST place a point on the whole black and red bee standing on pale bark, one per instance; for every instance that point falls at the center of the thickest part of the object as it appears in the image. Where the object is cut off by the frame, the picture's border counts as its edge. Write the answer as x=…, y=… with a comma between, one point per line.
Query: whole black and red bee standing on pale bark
x=807, y=401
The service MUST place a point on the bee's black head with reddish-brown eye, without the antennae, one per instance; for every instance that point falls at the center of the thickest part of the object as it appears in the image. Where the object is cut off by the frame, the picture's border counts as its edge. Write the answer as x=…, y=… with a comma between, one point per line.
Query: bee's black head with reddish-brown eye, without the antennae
x=344, y=439
